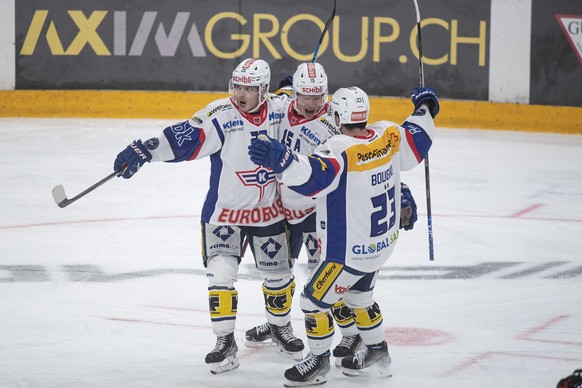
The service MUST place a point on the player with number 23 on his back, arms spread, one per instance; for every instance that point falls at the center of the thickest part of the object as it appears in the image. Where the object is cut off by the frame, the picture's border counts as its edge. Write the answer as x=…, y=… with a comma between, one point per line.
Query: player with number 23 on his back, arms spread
x=355, y=177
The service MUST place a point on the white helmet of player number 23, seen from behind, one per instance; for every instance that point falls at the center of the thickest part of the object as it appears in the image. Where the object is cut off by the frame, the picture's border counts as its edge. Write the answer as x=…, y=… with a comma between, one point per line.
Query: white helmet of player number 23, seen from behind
x=351, y=104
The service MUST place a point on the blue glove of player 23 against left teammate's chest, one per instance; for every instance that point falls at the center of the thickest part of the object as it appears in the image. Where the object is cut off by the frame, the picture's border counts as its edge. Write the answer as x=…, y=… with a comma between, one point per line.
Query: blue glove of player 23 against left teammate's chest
x=270, y=153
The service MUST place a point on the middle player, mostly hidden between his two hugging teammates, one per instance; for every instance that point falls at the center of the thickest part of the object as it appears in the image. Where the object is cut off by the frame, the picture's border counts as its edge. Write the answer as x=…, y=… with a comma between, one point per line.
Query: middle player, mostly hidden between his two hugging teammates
x=306, y=127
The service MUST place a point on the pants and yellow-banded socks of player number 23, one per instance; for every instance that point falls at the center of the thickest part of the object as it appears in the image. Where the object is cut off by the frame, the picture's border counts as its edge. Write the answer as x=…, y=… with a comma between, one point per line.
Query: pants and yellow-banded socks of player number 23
x=328, y=283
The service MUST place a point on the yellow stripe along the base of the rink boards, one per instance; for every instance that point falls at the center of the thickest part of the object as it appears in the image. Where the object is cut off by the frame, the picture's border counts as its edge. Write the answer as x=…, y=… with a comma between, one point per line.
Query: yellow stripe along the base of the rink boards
x=181, y=105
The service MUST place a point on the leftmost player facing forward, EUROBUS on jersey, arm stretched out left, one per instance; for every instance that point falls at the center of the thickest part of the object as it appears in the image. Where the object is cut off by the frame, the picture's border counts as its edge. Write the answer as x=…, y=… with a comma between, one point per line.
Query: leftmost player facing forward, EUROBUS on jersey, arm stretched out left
x=242, y=203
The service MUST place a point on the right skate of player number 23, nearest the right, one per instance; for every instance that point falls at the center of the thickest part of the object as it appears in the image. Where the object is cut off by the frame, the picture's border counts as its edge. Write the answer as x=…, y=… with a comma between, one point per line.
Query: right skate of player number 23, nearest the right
x=372, y=357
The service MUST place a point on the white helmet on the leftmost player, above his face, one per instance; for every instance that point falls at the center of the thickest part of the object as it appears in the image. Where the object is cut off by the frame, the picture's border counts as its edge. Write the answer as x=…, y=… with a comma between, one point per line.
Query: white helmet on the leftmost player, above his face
x=252, y=72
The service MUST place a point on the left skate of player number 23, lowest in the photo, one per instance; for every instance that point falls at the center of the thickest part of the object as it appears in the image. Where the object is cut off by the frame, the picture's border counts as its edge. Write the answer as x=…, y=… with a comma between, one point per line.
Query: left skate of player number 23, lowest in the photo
x=309, y=372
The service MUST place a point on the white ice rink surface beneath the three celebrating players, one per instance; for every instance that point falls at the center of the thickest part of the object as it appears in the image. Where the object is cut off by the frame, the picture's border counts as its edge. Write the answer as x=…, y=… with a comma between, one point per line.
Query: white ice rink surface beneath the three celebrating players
x=111, y=291
